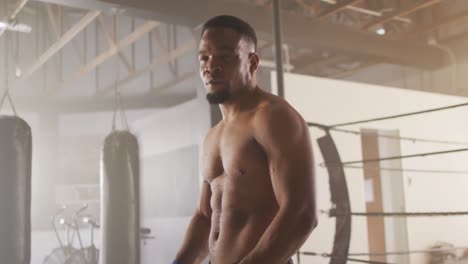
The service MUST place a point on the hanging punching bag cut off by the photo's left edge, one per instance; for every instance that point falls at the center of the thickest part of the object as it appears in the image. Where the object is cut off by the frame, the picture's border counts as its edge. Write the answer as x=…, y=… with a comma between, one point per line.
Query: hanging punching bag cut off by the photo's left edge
x=15, y=190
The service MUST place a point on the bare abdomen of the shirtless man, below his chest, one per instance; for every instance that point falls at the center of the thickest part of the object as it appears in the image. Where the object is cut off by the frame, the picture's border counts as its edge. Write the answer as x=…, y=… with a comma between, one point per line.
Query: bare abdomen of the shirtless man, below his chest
x=238, y=222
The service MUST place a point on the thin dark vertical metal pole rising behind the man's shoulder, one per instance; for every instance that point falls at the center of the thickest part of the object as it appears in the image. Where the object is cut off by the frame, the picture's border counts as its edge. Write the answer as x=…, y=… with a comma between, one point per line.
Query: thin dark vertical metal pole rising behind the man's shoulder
x=278, y=47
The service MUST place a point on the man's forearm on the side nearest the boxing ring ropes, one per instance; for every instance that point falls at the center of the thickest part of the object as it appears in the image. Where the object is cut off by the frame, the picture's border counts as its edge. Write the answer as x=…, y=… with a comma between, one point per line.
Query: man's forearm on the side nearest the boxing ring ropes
x=283, y=237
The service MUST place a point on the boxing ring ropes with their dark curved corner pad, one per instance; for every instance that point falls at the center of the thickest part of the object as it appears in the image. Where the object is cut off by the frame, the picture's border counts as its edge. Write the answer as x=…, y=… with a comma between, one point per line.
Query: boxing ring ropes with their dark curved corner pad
x=341, y=209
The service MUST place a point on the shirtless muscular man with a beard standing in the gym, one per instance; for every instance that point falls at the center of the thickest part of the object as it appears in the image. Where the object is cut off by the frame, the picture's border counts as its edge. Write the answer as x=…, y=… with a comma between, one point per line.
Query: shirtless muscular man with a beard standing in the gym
x=257, y=201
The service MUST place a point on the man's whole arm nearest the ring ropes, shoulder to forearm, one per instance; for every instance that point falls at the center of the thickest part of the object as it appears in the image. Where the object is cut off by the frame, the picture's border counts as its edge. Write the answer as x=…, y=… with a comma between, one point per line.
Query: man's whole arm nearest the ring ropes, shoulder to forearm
x=284, y=136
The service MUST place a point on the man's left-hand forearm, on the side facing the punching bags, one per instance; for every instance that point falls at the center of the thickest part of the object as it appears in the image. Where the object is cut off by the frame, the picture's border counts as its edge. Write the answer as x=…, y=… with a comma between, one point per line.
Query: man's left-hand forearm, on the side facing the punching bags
x=195, y=246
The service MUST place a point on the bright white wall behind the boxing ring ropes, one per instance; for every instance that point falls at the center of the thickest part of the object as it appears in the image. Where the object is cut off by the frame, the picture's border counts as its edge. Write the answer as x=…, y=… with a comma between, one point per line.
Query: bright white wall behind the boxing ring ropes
x=330, y=101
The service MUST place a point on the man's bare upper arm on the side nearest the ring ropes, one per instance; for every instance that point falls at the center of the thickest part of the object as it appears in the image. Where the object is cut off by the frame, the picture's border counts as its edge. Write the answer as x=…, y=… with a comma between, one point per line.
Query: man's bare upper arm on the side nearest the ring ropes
x=286, y=141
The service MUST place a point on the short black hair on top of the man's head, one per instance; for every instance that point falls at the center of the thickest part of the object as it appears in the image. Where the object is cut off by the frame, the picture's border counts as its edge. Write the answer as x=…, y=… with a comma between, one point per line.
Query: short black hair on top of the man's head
x=227, y=21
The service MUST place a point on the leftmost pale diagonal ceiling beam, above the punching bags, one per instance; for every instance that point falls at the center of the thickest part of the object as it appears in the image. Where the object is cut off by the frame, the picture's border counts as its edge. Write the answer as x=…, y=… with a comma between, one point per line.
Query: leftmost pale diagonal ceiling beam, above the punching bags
x=59, y=44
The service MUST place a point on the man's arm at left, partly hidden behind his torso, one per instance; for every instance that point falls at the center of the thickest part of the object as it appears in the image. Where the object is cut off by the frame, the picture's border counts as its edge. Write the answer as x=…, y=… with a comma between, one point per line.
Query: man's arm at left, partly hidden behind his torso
x=195, y=246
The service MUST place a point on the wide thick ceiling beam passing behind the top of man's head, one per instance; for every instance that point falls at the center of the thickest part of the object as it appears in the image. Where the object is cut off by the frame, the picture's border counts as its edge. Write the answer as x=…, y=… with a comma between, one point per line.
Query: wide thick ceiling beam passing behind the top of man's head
x=302, y=32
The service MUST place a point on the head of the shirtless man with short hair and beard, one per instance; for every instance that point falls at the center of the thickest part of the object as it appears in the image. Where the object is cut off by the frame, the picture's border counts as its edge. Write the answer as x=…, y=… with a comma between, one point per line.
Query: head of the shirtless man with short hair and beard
x=228, y=61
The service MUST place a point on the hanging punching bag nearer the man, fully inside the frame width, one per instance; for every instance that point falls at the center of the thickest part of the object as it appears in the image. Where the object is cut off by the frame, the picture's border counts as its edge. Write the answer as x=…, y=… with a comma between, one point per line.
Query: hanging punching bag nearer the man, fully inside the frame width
x=120, y=218
